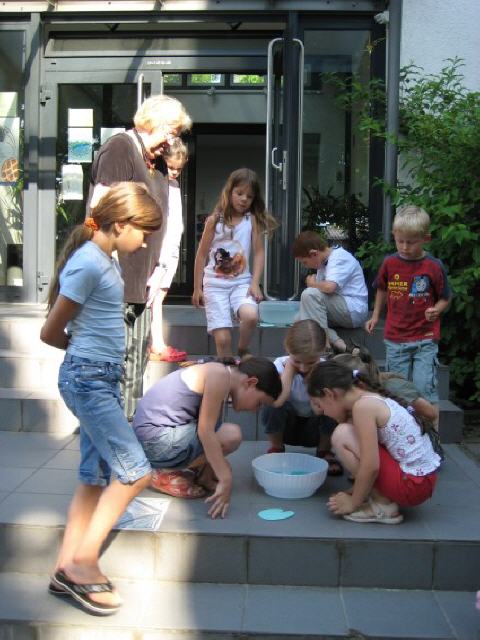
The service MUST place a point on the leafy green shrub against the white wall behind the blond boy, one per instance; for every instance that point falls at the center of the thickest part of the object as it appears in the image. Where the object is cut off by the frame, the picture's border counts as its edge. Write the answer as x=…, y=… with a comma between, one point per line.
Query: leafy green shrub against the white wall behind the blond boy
x=439, y=146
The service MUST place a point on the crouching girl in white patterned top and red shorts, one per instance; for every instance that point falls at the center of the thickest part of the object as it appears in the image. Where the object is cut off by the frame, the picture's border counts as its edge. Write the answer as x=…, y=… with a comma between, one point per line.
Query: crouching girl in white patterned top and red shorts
x=378, y=440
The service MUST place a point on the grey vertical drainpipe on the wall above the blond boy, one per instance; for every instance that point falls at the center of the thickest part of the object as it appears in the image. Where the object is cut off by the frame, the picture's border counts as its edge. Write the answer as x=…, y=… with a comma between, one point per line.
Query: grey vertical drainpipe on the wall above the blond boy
x=393, y=90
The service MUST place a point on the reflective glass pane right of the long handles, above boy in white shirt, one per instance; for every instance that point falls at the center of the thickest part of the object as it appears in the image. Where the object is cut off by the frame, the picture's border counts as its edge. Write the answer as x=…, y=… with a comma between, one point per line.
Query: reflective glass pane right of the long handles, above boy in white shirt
x=335, y=184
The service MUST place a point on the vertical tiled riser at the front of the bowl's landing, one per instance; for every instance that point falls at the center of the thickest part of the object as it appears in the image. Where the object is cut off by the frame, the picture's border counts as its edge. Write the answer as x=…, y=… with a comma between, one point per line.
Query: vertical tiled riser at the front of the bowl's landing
x=170, y=556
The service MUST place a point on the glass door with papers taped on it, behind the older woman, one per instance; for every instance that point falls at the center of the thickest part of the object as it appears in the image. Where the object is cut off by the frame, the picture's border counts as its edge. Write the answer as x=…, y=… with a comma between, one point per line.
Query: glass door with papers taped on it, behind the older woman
x=78, y=116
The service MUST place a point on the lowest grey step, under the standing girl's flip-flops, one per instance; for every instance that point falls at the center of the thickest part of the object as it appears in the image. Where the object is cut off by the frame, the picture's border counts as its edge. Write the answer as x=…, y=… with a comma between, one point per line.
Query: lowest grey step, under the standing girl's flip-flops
x=156, y=611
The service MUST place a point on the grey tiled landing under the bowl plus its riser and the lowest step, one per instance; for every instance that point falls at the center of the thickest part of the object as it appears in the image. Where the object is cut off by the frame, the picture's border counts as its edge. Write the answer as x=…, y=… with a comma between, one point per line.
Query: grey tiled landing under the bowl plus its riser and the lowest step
x=241, y=578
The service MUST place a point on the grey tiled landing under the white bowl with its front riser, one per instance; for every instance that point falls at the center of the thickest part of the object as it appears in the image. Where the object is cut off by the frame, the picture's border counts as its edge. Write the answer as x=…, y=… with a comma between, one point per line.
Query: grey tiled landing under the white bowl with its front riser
x=436, y=547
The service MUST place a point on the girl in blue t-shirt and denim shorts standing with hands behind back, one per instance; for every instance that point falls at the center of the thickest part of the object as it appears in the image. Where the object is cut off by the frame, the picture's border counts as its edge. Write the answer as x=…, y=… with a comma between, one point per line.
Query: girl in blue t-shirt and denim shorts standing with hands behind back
x=85, y=317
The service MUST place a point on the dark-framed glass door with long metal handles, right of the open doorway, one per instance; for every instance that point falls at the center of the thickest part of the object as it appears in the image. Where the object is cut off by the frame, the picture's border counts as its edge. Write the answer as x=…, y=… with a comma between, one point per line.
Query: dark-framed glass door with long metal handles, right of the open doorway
x=320, y=167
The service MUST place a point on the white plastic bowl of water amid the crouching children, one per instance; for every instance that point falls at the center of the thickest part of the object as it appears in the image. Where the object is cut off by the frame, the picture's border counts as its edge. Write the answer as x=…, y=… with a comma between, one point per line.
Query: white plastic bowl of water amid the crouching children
x=289, y=475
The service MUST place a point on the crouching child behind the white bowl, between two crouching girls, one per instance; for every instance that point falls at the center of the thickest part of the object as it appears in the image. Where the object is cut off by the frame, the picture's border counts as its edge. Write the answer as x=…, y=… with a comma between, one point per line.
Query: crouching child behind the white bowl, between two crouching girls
x=291, y=419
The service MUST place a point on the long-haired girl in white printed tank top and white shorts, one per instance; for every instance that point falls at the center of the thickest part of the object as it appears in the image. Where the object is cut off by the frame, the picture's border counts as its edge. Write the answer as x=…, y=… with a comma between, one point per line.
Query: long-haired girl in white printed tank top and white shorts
x=223, y=282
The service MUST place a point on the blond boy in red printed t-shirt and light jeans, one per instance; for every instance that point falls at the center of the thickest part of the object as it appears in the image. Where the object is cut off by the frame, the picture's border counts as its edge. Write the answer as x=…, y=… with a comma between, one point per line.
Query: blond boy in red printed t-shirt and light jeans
x=415, y=288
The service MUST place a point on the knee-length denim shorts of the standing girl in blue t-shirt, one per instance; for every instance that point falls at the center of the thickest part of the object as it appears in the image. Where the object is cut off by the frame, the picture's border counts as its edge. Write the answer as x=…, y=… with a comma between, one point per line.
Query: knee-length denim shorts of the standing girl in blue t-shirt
x=108, y=445
